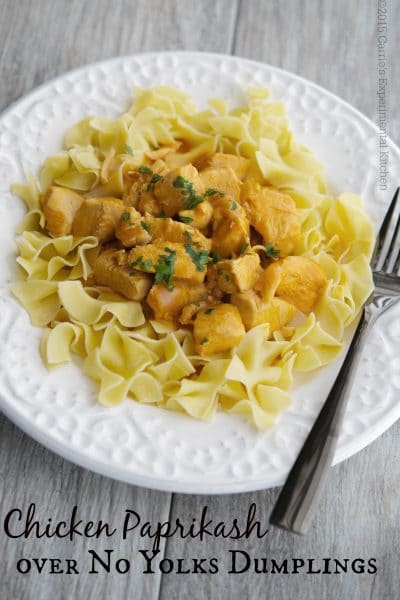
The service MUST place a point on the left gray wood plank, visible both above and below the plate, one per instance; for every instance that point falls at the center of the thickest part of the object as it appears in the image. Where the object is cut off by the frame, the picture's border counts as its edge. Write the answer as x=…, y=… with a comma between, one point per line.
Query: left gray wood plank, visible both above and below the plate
x=41, y=40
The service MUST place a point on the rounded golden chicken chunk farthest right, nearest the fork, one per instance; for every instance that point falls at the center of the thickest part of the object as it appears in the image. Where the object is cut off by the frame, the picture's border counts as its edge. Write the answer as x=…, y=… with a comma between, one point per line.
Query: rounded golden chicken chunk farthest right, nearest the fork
x=301, y=281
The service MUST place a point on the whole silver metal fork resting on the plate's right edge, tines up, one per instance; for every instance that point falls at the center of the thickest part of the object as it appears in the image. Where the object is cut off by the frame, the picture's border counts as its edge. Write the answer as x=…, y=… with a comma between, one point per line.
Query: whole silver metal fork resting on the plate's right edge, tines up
x=302, y=490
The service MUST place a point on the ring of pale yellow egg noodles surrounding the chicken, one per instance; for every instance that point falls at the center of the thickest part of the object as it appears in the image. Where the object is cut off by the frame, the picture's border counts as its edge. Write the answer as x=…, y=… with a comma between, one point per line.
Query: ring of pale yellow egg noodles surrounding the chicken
x=154, y=362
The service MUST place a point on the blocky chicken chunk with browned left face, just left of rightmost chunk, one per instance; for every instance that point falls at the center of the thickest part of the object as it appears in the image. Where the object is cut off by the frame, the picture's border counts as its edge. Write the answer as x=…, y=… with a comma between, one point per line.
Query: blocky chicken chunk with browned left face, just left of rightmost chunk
x=236, y=275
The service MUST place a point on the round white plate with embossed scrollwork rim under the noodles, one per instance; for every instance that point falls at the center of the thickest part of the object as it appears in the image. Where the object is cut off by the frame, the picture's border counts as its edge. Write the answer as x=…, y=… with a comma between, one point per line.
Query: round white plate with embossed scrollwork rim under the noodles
x=150, y=446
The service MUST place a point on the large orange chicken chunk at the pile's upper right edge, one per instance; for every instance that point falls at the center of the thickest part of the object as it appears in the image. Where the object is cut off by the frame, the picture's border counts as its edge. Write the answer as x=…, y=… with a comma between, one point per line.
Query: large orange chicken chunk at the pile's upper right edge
x=273, y=214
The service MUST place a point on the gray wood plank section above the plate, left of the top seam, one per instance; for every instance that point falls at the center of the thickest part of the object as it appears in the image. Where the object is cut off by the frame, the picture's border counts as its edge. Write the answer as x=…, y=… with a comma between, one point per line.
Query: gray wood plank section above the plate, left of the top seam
x=45, y=38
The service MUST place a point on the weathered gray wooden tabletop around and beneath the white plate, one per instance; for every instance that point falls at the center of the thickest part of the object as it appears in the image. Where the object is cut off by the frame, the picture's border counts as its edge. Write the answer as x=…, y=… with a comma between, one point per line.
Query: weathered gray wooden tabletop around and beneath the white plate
x=332, y=42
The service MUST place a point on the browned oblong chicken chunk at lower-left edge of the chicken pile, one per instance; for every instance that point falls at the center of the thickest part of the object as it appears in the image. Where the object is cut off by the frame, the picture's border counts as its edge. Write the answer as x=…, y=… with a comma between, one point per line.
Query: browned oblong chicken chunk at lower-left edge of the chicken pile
x=131, y=284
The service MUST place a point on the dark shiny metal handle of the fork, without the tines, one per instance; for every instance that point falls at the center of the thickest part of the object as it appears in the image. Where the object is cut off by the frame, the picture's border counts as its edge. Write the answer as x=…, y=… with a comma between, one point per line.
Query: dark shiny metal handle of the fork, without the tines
x=302, y=490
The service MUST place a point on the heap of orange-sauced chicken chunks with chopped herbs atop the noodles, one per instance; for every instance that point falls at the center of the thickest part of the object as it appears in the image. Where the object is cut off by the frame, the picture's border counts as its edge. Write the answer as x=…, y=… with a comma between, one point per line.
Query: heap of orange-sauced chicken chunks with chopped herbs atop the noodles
x=204, y=246
